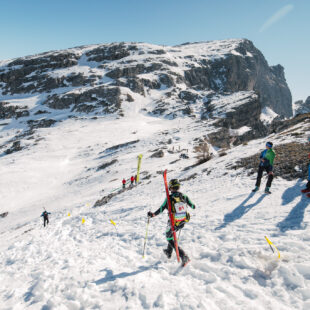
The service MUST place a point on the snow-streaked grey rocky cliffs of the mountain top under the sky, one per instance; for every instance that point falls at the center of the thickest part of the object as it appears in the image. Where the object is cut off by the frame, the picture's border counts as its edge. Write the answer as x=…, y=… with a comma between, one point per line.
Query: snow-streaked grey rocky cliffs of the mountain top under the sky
x=226, y=83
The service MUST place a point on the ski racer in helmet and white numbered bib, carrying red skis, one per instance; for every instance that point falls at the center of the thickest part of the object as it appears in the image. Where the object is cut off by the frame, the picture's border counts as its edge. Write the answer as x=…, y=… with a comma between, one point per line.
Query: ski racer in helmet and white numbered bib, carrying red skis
x=179, y=204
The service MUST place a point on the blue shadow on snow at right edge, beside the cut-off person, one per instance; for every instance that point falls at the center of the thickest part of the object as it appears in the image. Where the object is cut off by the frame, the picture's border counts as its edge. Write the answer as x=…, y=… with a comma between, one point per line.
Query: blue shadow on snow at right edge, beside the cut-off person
x=295, y=218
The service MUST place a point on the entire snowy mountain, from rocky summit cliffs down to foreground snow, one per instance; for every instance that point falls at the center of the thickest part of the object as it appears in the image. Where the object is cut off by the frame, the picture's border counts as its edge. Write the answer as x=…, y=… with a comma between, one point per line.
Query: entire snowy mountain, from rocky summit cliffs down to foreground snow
x=67, y=146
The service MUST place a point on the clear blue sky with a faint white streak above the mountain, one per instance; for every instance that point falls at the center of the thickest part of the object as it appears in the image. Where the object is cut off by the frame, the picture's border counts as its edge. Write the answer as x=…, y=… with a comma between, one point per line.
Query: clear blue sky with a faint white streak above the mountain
x=279, y=28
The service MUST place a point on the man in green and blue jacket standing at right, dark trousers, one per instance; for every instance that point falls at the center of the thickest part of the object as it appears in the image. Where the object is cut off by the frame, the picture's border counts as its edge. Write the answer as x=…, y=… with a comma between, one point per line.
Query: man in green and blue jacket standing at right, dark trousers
x=266, y=163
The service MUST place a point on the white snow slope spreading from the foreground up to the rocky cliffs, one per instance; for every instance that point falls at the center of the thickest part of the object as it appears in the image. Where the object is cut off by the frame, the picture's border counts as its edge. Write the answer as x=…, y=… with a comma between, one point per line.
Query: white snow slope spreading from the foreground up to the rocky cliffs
x=70, y=265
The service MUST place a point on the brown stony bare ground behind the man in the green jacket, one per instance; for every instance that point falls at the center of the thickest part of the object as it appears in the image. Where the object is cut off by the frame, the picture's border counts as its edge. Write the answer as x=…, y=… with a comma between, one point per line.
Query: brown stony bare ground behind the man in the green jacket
x=291, y=161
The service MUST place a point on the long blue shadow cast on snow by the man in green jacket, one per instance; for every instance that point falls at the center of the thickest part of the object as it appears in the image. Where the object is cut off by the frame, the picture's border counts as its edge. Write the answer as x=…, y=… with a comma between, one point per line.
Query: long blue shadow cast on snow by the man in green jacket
x=241, y=210
